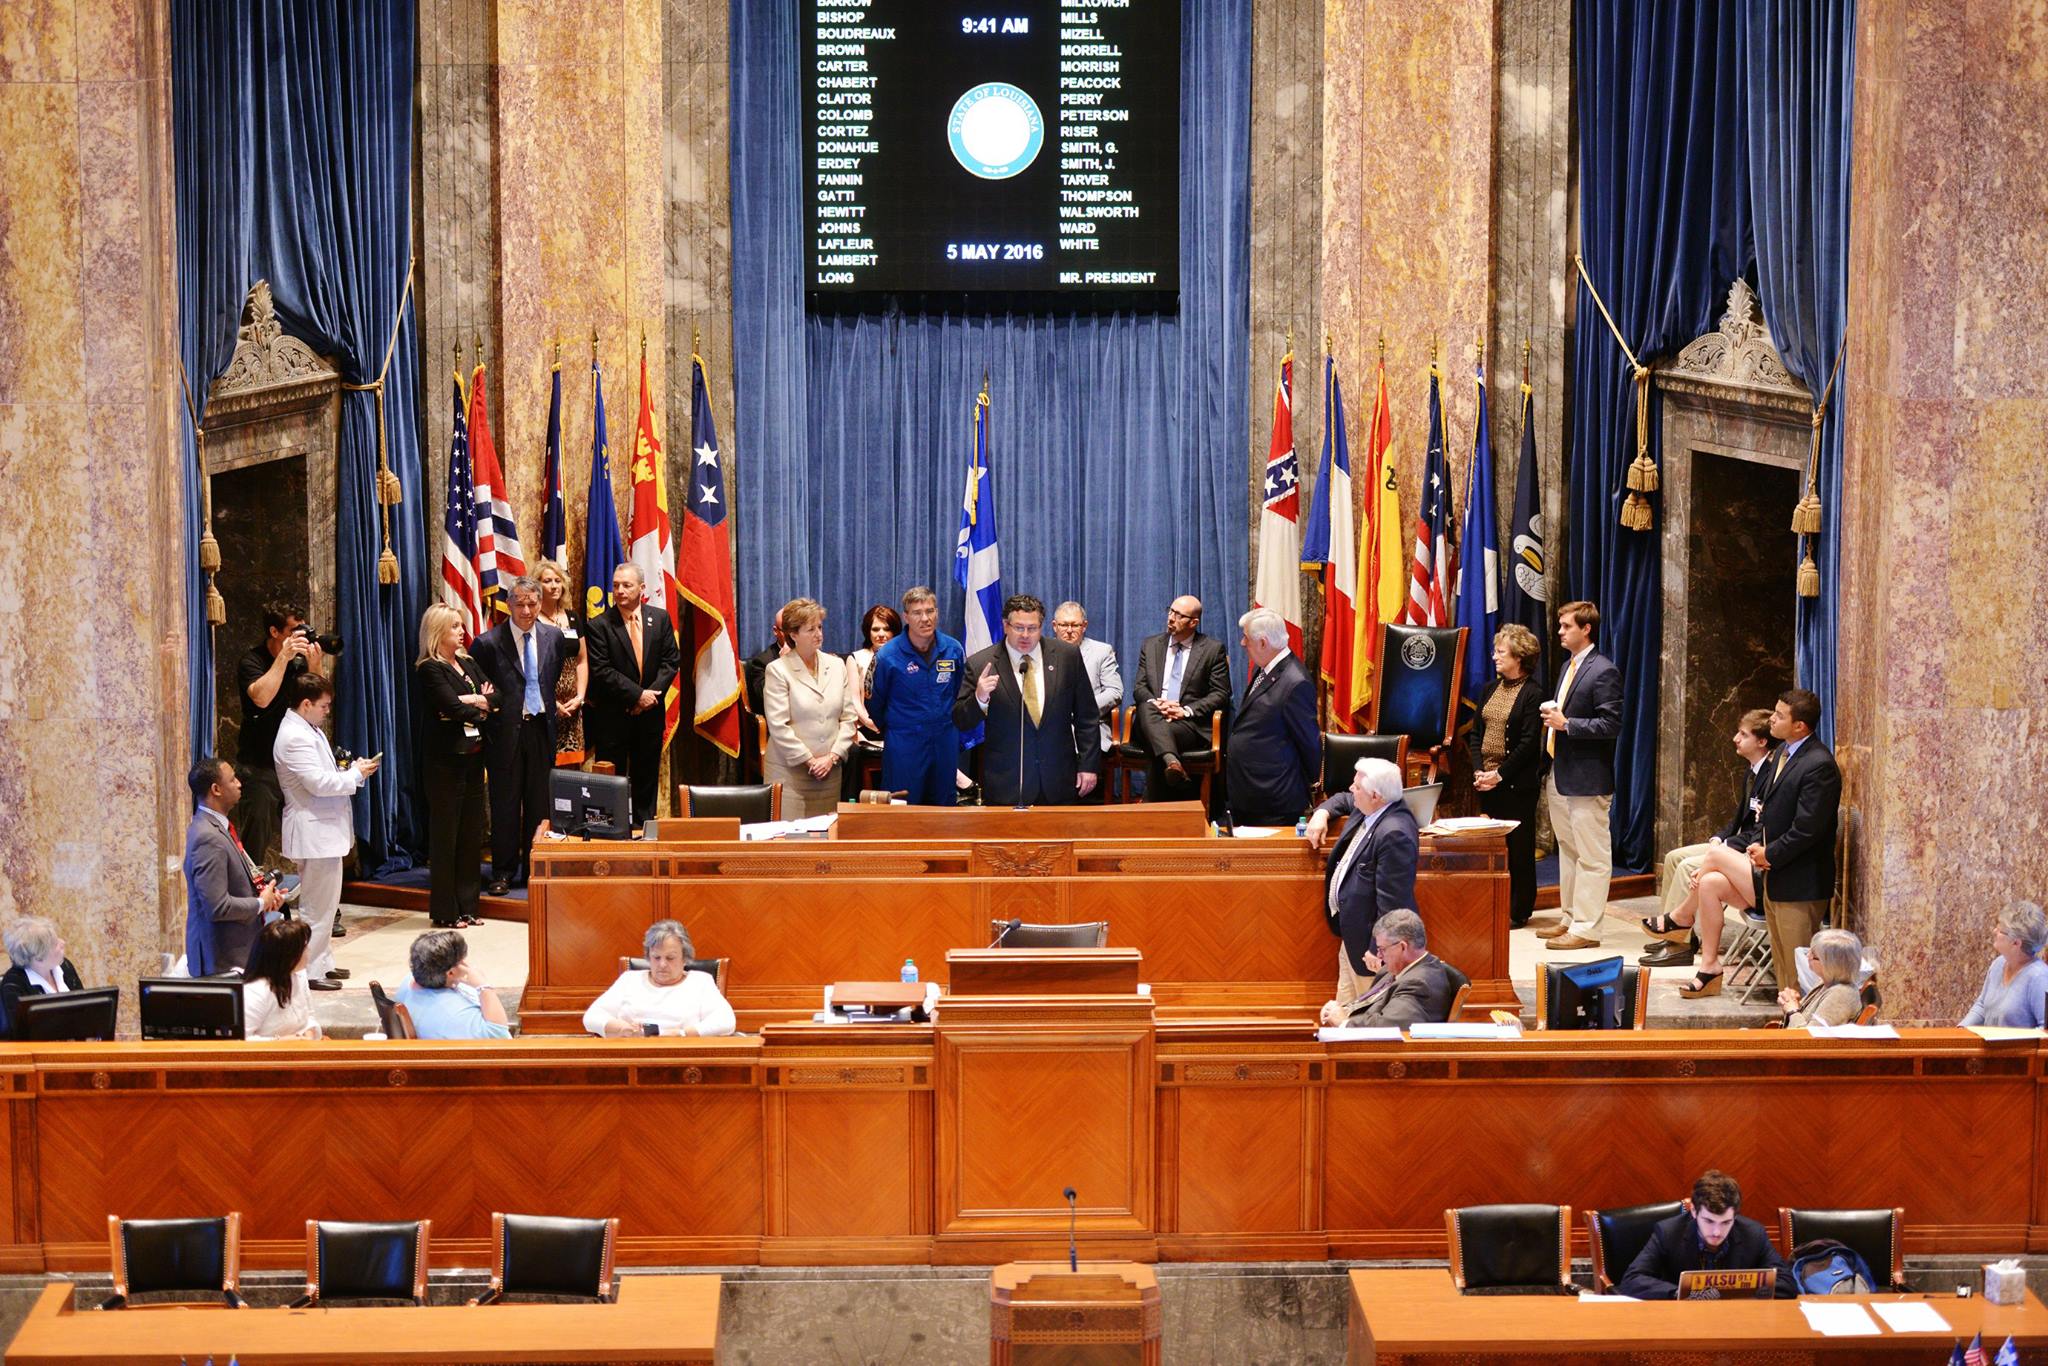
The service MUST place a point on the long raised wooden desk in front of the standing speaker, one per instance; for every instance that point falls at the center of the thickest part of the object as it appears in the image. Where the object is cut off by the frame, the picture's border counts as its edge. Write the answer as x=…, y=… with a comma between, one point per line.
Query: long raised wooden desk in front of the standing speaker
x=1224, y=925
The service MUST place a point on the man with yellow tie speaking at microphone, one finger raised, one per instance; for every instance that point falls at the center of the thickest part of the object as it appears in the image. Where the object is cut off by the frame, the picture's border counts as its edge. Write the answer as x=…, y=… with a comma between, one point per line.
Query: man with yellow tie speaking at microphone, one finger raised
x=1043, y=742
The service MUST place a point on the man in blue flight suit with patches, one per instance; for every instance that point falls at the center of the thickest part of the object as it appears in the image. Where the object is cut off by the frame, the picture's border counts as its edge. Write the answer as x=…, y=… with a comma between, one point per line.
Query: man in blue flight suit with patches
x=916, y=677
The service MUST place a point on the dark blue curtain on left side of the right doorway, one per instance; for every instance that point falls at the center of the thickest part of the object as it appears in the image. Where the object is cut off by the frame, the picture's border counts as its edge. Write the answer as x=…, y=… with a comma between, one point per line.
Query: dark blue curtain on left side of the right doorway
x=1664, y=224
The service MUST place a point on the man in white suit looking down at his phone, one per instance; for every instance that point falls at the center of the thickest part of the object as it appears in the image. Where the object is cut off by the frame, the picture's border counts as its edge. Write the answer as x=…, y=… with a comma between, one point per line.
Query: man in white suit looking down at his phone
x=321, y=826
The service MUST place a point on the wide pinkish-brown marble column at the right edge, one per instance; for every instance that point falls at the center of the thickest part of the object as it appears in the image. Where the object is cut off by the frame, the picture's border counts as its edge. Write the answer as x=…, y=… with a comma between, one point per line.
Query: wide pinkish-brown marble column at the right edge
x=1945, y=691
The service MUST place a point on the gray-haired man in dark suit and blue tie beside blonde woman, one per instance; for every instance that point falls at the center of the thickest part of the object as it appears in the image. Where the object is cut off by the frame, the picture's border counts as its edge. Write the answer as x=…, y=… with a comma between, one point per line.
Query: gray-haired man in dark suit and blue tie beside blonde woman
x=523, y=663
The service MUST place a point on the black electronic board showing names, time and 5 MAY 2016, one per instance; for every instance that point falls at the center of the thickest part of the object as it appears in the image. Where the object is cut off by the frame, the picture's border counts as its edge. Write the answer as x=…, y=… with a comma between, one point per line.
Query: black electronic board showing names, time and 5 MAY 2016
x=1031, y=148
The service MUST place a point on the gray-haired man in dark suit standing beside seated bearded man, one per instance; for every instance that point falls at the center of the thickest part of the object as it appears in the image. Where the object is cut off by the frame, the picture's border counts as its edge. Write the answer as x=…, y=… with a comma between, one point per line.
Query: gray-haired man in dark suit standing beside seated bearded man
x=1275, y=744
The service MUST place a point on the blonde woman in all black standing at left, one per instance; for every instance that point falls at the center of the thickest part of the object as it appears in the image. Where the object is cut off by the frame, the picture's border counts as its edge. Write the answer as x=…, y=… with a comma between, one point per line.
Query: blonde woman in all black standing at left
x=458, y=701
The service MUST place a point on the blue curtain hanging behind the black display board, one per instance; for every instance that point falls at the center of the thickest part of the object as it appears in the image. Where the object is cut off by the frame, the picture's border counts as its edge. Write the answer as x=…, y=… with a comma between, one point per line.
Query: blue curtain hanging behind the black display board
x=1119, y=441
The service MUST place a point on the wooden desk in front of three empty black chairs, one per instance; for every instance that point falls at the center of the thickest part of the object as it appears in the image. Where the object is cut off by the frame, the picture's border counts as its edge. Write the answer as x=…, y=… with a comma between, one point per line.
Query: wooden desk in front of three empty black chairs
x=656, y=1320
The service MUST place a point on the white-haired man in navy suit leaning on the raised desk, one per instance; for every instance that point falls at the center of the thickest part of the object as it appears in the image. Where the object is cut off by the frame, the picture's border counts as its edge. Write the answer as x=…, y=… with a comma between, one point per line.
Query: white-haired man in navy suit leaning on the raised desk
x=1371, y=871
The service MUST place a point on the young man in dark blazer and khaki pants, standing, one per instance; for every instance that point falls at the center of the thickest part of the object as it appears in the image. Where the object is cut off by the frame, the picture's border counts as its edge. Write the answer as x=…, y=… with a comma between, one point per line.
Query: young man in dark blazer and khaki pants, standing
x=1580, y=728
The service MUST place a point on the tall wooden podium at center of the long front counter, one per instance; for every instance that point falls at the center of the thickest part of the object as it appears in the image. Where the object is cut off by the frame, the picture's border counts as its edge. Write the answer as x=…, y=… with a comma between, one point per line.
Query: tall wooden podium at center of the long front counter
x=1043, y=1080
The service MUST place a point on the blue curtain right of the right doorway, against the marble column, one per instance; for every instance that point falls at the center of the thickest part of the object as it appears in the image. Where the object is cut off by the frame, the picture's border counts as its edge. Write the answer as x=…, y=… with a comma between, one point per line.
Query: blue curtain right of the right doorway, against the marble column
x=1799, y=62
